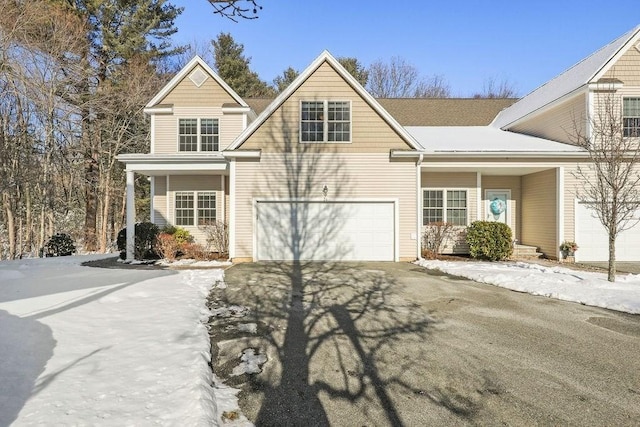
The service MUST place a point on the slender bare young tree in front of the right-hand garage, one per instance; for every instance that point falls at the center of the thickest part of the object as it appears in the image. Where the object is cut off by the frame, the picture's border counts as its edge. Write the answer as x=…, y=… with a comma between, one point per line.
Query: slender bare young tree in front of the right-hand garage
x=610, y=182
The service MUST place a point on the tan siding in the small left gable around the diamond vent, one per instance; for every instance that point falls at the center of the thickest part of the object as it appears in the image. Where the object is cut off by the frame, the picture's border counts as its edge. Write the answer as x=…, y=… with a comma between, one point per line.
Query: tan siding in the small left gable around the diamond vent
x=187, y=94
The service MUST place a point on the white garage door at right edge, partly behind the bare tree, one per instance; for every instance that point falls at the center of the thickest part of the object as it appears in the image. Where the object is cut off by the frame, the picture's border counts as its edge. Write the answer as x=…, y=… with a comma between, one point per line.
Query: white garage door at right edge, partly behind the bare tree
x=593, y=240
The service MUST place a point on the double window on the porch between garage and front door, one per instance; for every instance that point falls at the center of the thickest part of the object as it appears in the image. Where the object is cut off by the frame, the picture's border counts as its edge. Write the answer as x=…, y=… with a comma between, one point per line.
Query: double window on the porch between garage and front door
x=439, y=205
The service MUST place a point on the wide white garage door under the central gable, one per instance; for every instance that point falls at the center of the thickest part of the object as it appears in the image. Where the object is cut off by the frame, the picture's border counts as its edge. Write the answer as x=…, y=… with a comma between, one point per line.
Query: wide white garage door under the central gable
x=343, y=231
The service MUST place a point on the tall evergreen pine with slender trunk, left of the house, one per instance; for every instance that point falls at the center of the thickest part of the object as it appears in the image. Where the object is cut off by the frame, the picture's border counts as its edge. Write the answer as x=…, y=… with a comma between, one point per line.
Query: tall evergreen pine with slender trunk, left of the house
x=118, y=31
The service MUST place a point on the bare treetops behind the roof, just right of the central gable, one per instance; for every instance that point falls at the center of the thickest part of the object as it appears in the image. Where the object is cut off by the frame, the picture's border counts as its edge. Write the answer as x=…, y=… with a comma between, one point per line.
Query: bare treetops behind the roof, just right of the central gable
x=400, y=79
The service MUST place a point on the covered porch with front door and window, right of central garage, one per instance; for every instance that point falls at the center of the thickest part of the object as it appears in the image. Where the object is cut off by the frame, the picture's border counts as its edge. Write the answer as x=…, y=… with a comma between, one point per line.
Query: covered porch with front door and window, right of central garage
x=526, y=196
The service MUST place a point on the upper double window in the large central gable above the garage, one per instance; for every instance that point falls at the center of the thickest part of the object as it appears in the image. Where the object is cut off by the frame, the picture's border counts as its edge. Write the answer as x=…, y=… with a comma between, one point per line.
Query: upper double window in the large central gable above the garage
x=325, y=121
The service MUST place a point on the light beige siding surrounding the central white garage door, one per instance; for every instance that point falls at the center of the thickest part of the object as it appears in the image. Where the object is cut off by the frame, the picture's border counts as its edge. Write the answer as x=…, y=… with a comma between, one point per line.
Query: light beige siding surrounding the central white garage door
x=347, y=176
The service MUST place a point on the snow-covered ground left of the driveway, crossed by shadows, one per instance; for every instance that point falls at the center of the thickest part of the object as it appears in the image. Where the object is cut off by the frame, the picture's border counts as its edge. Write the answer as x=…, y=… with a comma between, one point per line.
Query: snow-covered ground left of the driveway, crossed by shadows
x=92, y=346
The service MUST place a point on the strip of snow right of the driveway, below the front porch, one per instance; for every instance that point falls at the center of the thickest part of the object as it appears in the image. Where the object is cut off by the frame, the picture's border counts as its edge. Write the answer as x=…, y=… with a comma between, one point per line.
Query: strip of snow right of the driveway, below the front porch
x=584, y=287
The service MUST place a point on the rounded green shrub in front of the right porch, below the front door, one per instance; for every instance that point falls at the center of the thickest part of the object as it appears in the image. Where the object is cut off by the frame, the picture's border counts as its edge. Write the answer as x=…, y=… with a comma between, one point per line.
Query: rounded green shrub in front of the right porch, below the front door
x=489, y=240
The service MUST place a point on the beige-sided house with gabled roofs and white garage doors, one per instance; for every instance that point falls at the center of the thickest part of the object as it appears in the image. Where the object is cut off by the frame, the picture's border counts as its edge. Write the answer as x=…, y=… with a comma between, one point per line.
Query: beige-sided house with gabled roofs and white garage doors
x=326, y=172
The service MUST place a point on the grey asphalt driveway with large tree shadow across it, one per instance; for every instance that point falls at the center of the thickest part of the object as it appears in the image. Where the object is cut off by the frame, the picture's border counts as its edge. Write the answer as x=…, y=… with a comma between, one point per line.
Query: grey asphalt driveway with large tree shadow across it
x=395, y=344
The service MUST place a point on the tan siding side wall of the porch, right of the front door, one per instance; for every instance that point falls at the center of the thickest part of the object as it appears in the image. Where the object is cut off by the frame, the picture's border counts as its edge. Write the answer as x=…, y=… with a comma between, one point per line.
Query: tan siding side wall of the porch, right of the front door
x=538, y=212
